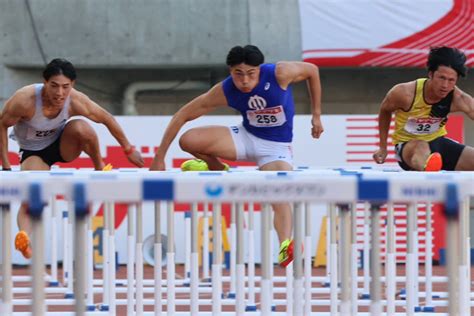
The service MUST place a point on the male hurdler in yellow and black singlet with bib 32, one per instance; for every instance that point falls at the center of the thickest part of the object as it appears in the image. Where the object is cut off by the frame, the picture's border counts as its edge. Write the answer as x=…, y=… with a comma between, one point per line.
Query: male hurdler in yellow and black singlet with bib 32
x=421, y=110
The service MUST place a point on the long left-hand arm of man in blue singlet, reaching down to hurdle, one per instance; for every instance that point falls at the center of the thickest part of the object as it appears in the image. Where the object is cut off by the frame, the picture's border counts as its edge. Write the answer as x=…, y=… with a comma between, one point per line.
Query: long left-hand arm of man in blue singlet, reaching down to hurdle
x=197, y=107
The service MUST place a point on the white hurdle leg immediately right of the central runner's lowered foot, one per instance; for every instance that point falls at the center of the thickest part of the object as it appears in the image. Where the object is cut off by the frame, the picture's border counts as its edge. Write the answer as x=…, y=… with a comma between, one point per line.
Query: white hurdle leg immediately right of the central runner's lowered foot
x=298, y=259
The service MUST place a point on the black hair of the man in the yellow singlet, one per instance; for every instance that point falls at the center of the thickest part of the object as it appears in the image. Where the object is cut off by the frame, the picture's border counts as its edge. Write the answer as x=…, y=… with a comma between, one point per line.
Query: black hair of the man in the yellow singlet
x=447, y=56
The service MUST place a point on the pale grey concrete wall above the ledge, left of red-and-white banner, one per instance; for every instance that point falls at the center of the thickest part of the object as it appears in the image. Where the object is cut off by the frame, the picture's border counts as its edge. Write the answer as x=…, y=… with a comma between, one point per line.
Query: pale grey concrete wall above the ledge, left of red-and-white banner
x=132, y=34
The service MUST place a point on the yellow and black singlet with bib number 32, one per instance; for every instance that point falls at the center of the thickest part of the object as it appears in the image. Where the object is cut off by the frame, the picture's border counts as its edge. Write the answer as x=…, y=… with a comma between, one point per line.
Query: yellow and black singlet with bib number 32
x=422, y=121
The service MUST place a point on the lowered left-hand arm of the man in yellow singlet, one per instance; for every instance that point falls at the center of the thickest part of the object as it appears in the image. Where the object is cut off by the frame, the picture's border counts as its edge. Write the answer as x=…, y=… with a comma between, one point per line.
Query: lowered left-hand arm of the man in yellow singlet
x=392, y=102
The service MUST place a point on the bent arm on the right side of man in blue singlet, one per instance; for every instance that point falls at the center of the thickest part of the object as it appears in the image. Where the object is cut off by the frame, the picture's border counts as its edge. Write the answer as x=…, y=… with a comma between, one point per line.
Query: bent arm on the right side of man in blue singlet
x=290, y=72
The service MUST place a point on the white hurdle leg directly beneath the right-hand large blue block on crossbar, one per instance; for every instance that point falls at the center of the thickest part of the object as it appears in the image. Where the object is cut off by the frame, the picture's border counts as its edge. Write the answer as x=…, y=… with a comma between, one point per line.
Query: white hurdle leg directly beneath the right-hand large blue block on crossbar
x=375, y=286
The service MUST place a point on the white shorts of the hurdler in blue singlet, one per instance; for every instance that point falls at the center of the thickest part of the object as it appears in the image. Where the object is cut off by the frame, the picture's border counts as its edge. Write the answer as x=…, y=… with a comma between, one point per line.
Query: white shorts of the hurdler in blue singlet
x=251, y=148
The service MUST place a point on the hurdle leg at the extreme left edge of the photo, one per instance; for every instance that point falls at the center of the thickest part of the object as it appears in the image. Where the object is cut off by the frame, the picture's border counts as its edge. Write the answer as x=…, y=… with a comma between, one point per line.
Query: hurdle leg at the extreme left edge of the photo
x=6, y=307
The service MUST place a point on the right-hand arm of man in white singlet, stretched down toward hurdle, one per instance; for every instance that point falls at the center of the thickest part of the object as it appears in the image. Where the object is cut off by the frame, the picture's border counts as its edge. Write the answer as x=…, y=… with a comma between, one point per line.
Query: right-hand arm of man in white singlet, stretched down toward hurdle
x=82, y=105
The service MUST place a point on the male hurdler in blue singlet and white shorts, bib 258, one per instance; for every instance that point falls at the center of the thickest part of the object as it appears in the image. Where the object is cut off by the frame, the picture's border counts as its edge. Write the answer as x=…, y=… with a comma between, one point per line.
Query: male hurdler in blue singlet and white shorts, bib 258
x=262, y=94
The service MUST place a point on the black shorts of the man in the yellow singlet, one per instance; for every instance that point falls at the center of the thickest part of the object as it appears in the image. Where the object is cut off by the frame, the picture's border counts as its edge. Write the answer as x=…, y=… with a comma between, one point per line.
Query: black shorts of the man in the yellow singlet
x=449, y=149
